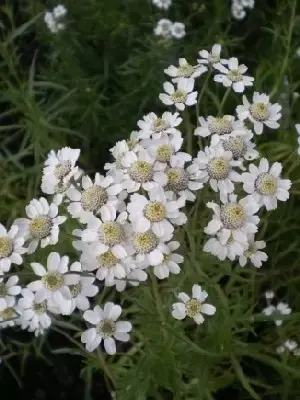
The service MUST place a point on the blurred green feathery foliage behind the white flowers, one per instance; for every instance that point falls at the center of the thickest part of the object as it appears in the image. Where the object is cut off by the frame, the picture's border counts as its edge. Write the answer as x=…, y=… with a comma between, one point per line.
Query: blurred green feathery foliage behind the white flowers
x=87, y=87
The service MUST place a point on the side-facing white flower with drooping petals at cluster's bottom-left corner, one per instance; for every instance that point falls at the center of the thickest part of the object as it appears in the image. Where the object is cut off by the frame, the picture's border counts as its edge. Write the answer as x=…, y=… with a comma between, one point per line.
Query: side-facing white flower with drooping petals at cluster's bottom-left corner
x=34, y=315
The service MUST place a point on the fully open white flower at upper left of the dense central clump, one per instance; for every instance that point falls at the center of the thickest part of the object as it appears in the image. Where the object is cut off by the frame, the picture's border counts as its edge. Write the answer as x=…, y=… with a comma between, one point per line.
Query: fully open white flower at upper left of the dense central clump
x=139, y=172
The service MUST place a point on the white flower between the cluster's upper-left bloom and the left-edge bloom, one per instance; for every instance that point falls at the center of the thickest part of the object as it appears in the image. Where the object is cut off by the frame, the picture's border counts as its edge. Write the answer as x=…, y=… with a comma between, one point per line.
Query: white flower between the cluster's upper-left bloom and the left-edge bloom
x=42, y=224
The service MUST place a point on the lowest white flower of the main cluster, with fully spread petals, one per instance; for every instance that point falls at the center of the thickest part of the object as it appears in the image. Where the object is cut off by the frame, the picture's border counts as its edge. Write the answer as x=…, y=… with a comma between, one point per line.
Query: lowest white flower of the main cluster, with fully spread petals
x=106, y=327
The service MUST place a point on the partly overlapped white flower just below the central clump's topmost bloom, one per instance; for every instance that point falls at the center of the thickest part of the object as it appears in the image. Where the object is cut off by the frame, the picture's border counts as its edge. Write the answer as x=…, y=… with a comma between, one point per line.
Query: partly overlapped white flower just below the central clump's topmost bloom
x=165, y=148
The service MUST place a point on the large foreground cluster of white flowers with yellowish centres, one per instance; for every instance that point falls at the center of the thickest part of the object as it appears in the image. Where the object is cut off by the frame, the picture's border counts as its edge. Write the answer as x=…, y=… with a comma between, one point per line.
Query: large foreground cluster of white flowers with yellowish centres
x=126, y=220
